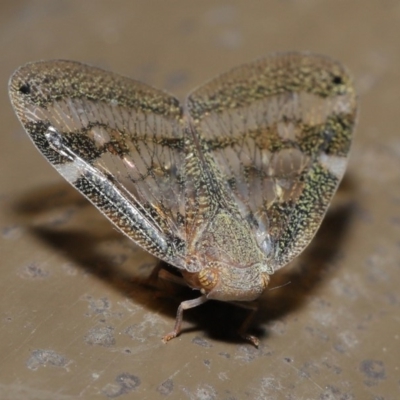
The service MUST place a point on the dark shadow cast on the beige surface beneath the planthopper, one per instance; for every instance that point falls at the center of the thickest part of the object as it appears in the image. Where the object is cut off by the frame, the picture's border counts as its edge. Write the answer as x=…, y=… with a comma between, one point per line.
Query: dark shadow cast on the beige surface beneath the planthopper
x=63, y=220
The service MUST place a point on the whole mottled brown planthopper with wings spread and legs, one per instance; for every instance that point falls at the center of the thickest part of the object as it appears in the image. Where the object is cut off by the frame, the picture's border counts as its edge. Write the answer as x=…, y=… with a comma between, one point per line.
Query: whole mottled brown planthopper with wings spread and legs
x=227, y=188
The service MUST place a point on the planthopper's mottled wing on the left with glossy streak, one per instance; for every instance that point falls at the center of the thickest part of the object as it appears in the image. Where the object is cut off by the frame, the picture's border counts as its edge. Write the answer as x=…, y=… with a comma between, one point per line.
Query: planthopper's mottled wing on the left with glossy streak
x=118, y=141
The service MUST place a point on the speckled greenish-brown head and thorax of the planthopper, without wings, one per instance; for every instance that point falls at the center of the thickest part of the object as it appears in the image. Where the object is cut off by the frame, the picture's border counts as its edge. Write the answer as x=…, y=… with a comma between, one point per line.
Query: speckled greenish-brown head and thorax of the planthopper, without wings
x=230, y=265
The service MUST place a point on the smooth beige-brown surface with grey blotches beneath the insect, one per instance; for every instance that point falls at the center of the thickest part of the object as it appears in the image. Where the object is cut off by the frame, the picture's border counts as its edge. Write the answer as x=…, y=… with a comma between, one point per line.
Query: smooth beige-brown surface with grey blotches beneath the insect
x=76, y=323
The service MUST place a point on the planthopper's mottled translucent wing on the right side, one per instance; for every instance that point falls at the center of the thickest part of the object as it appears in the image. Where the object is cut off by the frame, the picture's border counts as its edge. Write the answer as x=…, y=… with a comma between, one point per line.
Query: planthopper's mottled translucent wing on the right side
x=277, y=132
